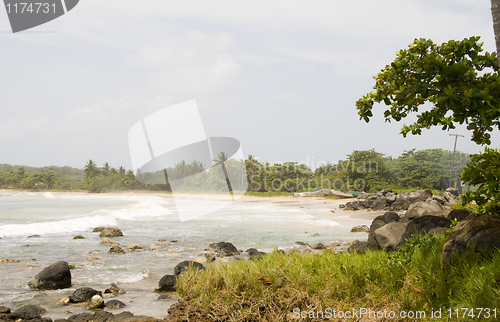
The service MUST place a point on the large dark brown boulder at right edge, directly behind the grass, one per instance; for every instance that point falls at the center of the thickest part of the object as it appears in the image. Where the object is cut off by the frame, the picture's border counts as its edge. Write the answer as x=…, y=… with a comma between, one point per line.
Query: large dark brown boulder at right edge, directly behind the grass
x=474, y=234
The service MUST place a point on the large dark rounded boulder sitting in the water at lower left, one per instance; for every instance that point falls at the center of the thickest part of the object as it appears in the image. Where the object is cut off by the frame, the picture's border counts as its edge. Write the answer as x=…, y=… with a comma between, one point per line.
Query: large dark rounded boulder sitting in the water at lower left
x=53, y=277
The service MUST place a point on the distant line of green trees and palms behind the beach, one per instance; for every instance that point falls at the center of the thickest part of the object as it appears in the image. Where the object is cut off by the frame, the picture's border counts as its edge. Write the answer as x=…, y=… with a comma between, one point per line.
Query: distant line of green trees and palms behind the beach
x=365, y=170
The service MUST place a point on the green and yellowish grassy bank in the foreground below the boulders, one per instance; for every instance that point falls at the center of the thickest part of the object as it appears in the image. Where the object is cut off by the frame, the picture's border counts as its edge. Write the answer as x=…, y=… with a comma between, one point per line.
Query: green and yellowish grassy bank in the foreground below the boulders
x=412, y=279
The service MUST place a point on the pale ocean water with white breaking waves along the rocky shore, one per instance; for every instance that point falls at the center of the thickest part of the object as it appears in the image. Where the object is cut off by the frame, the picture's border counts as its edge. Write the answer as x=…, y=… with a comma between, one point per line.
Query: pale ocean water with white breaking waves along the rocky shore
x=38, y=229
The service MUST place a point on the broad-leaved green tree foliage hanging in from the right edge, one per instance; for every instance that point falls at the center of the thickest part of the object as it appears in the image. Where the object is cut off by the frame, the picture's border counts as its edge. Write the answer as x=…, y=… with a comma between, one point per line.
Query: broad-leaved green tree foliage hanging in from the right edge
x=463, y=86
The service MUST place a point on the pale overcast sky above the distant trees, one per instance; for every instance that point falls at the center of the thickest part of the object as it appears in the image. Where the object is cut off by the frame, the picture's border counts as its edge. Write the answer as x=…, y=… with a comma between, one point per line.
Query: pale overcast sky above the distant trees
x=282, y=77
